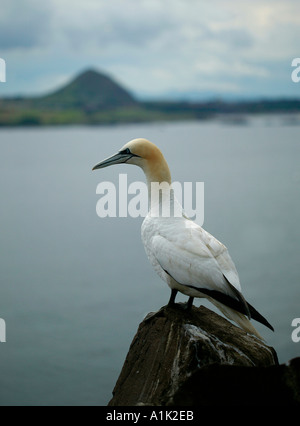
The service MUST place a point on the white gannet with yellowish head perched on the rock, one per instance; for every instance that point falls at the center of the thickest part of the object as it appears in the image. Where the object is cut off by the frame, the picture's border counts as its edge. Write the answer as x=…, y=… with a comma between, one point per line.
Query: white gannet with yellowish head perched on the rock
x=185, y=256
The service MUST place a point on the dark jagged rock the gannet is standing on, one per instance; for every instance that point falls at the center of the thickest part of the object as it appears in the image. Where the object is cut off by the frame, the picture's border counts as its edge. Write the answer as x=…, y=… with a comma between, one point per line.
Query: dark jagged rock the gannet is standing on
x=198, y=358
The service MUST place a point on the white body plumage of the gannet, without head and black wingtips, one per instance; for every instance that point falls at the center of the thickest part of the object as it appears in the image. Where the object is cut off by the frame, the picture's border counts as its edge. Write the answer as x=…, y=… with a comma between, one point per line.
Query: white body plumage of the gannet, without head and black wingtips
x=190, y=255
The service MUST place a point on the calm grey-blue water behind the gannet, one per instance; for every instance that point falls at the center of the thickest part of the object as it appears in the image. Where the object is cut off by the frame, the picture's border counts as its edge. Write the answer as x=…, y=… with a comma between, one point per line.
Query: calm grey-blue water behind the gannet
x=74, y=287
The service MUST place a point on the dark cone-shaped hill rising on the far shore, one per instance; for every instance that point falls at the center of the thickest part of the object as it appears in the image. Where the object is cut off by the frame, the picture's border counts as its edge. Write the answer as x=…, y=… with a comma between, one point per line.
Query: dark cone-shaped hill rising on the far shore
x=90, y=91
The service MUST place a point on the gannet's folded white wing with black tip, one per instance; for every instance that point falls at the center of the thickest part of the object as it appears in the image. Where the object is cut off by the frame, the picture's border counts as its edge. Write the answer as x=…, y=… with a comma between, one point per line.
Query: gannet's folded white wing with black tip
x=190, y=262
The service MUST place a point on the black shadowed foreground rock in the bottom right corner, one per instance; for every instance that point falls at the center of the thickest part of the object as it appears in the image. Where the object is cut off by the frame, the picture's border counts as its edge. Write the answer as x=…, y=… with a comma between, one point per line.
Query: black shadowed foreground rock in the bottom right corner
x=227, y=385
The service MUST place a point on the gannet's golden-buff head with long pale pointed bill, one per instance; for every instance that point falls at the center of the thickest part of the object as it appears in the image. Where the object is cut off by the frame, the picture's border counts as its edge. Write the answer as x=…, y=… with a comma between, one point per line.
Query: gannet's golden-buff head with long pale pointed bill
x=144, y=154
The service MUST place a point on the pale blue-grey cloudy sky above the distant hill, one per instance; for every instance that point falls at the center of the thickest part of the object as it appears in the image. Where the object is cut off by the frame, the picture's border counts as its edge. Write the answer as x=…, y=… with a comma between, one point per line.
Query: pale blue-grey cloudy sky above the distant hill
x=153, y=47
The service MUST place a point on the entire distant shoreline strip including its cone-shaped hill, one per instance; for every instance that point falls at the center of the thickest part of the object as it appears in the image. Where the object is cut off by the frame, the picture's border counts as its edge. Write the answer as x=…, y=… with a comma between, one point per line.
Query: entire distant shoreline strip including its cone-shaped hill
x=95, y=98
